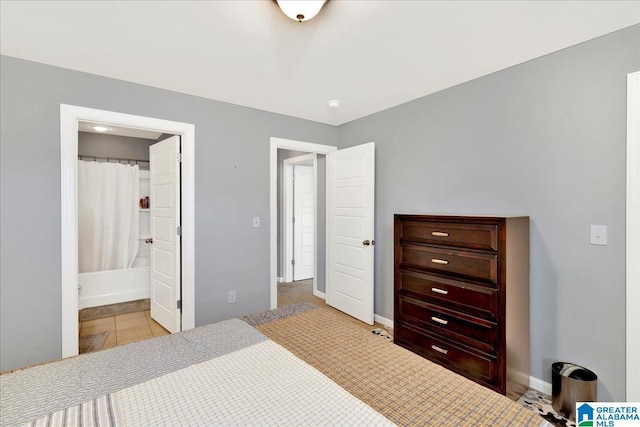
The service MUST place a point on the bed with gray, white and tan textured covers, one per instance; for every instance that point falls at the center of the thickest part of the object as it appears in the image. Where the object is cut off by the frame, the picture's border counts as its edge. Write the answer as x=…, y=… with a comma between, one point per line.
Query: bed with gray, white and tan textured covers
x=279, y=368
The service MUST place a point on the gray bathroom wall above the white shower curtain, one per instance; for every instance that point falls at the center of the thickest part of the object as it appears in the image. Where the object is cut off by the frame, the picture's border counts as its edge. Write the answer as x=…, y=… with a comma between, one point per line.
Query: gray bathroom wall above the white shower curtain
x=124, y=147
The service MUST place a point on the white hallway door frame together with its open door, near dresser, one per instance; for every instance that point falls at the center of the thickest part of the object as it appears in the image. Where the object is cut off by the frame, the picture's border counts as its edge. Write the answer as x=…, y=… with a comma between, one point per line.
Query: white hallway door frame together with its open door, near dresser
x=349, y=237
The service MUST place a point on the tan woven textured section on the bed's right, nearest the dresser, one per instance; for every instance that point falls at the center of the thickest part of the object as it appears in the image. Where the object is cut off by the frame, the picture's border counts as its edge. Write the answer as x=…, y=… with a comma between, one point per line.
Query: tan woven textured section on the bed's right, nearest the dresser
x=407, y=389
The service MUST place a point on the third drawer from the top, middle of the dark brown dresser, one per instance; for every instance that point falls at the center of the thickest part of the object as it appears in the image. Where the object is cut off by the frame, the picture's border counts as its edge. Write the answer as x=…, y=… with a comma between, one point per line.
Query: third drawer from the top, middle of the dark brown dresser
x=478, y=300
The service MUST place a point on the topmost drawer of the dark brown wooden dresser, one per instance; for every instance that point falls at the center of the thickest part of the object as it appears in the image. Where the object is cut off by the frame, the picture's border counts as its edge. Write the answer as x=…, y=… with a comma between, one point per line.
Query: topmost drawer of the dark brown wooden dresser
x=475, y=236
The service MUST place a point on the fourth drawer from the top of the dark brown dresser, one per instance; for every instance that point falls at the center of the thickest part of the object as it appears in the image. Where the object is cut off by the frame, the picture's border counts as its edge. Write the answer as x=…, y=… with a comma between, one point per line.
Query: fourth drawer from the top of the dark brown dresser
x=478, y=333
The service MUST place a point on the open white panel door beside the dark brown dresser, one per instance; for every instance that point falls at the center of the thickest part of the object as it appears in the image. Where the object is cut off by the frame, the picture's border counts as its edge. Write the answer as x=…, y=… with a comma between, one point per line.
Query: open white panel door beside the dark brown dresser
x=350, y=227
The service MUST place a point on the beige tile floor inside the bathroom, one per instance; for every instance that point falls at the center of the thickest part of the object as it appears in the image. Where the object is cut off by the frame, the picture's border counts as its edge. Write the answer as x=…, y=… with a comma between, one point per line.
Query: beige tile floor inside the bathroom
x=124, y=328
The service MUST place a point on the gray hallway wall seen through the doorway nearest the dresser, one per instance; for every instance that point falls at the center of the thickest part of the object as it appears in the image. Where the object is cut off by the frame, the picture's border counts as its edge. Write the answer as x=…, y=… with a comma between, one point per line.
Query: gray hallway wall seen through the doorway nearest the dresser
x=321, y=209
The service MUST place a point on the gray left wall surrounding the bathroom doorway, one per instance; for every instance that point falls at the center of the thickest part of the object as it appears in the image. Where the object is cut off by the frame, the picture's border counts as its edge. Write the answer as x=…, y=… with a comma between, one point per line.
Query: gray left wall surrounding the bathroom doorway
x=231, y=186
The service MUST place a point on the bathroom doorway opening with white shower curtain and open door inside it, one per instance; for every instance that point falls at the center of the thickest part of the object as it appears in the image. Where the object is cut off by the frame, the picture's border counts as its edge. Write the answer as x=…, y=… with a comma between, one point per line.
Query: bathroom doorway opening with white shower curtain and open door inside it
x=115, y=236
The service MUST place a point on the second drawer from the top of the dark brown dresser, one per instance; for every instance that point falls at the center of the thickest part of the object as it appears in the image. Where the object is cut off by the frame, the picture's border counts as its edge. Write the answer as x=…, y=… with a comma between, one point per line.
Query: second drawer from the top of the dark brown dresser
x=482, y=267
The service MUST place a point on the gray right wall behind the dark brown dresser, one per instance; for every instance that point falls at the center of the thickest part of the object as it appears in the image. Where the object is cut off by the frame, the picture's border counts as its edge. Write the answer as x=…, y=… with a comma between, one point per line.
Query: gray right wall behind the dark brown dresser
x=546, y=138
